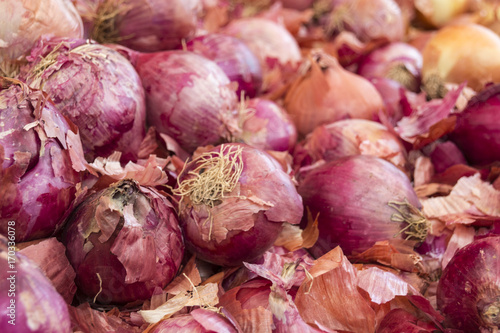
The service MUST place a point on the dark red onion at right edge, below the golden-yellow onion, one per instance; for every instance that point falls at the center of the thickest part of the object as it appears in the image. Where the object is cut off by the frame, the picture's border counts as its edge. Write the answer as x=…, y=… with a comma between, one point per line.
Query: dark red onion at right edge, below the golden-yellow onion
x=477, y=131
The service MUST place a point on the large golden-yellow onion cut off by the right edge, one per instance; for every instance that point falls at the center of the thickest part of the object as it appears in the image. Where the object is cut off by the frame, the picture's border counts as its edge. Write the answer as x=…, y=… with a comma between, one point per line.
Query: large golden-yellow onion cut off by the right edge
x=463, y=52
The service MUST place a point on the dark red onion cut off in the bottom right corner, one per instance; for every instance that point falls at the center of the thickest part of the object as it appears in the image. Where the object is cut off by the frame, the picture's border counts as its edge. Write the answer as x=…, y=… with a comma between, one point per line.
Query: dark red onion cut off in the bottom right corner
x=470, y=286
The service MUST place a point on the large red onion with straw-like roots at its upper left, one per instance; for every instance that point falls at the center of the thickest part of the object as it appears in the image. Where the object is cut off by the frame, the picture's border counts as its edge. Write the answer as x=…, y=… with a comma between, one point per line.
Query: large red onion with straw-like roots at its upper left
x=95, y=87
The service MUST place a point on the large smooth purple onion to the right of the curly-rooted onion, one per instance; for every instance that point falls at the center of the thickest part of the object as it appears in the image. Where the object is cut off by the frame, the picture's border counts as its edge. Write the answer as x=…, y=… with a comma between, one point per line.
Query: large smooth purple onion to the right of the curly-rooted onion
x=351, y=196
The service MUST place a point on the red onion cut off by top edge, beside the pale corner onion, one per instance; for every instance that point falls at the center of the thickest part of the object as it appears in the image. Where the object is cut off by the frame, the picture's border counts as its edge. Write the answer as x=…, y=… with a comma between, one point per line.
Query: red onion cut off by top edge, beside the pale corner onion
x=142, y=25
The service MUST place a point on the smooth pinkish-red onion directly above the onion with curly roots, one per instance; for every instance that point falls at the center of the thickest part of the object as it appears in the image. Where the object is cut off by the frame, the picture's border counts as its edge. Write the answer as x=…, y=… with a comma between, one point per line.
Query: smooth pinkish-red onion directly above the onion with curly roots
x=188, y=98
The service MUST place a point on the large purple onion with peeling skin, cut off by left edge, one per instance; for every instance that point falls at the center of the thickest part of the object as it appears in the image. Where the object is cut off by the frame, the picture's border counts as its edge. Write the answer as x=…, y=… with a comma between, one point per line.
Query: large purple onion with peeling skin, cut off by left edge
x=38, y=168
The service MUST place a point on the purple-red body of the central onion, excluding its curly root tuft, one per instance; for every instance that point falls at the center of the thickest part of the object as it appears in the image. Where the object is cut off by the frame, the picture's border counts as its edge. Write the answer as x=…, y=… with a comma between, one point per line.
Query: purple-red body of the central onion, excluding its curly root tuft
x=261, y=179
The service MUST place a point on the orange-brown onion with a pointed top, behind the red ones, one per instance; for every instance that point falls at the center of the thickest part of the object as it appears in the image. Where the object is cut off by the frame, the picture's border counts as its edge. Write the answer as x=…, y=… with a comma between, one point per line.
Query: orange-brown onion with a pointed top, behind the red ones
x=328, y=92
